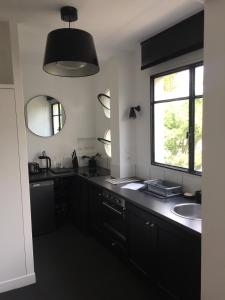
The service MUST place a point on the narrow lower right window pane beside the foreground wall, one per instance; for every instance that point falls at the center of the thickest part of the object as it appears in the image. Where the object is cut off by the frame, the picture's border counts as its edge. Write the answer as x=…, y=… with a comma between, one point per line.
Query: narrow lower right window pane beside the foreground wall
x=198, y=134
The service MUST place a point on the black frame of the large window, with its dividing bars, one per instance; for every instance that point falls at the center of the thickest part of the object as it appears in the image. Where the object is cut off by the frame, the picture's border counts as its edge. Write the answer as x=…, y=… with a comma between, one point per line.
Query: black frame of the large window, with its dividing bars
x=191, y=127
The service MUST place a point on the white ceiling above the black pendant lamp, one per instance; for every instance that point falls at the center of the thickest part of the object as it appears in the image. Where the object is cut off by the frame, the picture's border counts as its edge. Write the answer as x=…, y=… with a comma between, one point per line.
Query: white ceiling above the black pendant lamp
x=115, y=24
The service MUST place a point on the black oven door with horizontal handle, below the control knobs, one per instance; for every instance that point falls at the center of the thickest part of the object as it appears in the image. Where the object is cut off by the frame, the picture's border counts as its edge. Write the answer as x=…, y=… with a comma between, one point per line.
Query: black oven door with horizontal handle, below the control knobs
x=114, y=221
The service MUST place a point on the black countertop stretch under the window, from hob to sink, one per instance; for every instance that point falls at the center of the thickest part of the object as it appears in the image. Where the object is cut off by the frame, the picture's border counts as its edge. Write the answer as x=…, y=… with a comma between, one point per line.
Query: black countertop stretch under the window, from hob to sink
x=159, y=207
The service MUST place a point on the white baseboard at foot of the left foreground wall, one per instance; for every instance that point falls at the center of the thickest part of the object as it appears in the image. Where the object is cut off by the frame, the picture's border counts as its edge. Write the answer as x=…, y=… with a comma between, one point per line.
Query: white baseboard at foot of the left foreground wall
x=18, y=282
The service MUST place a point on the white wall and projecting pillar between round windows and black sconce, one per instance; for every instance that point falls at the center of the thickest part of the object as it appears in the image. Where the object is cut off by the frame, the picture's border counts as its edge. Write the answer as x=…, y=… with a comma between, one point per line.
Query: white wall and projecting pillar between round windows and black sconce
x=118, y=75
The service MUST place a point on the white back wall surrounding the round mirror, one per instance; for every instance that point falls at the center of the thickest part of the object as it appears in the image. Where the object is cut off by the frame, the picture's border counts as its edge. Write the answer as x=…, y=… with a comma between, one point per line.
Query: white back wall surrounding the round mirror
x=76, y=95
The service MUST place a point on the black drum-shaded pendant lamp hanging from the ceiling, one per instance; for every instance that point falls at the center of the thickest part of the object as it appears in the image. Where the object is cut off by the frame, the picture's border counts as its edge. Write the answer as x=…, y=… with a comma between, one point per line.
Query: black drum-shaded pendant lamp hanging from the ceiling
x=70, y=52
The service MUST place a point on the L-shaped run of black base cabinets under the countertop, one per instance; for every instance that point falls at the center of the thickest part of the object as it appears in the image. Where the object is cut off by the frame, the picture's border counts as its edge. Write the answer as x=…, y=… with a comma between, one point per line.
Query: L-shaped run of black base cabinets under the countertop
x=168, y=253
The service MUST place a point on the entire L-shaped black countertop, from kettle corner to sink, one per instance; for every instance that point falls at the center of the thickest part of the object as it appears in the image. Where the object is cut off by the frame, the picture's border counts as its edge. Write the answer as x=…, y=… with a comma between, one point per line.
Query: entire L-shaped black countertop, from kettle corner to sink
x=154, y=205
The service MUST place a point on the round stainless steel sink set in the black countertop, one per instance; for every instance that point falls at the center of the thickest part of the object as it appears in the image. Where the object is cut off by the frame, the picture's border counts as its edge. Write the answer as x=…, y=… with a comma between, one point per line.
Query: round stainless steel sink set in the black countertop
x=188, y=210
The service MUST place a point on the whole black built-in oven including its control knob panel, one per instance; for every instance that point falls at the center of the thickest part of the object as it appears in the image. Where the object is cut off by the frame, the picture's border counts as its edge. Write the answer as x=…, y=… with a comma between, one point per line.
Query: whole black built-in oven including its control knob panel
x=113, y=218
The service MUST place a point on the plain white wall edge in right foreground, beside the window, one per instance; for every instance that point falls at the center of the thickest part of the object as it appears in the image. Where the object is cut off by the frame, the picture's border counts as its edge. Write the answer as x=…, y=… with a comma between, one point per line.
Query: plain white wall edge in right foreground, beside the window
x=213, y=238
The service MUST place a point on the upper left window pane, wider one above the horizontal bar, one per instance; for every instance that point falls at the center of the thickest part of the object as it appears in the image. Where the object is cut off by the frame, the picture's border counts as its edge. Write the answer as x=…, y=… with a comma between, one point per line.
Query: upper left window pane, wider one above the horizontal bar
x=171, y=86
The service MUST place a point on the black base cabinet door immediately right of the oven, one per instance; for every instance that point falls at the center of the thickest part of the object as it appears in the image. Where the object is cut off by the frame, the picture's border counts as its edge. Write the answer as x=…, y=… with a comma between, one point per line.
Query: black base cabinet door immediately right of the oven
x=141, y=240
